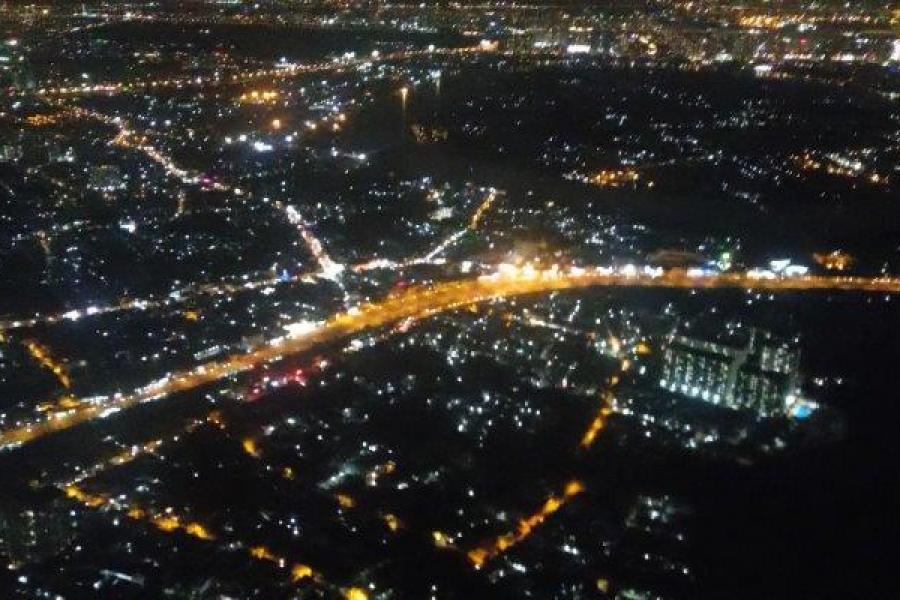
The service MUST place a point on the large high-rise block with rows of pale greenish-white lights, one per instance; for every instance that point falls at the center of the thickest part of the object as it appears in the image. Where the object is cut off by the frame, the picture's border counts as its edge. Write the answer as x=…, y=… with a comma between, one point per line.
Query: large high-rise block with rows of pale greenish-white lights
x=740, y=368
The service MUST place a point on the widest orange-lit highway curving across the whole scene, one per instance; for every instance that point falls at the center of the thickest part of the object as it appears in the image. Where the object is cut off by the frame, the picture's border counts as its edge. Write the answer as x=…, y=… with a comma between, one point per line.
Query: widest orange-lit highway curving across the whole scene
x=422, y=302
